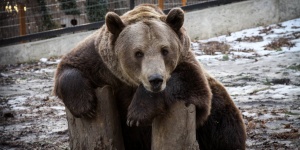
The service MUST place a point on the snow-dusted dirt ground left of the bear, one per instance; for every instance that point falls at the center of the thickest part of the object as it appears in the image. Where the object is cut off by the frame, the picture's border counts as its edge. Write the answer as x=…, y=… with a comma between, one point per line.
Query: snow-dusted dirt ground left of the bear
x=30, y=117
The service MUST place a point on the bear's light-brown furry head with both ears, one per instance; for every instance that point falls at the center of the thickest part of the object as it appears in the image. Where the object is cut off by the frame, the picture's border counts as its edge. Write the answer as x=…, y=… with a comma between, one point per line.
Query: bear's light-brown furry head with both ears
x=147, y=50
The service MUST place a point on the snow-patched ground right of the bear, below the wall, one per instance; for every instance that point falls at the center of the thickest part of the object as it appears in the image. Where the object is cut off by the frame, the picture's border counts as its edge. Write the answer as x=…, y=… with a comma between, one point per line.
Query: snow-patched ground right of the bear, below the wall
x=260, y=68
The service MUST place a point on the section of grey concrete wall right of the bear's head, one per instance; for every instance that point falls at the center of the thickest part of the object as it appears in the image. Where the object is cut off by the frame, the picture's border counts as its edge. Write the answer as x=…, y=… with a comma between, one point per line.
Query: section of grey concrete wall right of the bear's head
x=207, y=23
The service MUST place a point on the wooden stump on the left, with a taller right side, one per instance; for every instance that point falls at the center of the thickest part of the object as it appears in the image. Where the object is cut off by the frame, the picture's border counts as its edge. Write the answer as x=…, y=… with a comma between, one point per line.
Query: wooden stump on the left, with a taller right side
x=100, y=133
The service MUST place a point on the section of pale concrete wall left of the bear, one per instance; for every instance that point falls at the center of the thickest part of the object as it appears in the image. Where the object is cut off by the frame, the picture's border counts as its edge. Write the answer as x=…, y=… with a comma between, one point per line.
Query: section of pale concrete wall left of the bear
x=36, y=50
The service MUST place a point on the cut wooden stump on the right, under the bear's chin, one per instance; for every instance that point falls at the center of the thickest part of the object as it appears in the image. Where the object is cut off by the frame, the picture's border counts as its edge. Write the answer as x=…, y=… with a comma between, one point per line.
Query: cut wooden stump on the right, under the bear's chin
x=176, y=130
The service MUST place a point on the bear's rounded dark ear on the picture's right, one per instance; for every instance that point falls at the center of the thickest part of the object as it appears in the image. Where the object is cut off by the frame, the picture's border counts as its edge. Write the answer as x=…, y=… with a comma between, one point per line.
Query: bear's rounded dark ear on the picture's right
x=175, y=18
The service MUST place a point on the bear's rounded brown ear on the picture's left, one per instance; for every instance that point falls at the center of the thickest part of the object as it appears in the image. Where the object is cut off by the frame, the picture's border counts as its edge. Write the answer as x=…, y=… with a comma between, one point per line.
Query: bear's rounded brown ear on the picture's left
x=114, y=23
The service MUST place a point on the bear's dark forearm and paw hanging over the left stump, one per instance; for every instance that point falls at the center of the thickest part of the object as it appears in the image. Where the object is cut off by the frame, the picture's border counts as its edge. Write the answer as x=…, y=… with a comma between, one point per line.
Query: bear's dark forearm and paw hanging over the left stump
x=76, y=92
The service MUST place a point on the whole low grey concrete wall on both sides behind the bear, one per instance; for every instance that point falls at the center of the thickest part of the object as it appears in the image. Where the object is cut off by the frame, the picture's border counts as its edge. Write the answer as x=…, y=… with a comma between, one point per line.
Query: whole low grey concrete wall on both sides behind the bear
x=201, y=24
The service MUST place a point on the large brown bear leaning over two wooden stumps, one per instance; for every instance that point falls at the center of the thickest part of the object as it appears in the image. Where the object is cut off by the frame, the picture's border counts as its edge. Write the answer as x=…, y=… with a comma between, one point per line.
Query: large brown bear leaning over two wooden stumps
x=145, y=56
